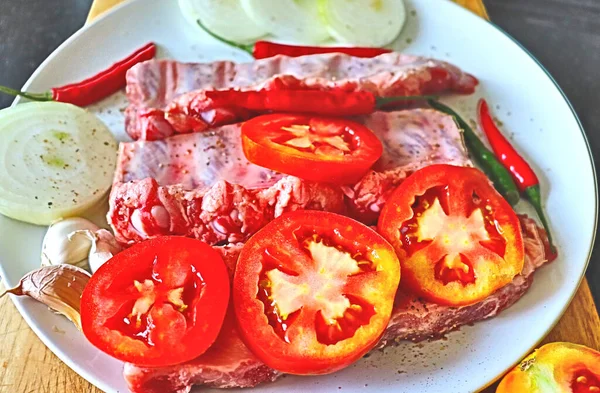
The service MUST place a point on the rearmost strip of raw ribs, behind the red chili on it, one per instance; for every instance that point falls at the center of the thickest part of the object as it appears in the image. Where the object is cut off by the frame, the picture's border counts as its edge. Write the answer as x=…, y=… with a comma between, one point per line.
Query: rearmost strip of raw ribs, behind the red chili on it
x=157, y=85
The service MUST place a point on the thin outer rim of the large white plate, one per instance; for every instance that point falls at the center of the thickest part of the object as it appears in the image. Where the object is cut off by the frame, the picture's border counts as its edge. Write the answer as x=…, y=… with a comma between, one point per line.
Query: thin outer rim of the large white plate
x=19, y=303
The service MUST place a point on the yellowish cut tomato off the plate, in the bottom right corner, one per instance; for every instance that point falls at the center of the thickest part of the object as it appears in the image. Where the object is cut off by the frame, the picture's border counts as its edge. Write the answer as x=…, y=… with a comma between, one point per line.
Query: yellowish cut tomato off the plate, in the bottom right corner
x=555, y=368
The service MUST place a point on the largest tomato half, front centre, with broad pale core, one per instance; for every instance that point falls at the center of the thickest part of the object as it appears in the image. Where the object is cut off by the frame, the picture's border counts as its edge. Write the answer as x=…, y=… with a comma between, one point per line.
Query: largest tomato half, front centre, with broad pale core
x=313, y=292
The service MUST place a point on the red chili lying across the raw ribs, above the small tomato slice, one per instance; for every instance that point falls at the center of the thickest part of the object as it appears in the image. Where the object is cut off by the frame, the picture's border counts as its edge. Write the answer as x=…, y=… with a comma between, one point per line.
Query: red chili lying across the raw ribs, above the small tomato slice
x=333, y=102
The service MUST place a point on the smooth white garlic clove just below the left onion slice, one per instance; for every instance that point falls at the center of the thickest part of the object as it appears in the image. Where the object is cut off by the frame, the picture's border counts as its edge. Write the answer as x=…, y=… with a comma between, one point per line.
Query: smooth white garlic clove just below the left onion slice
x=62, y=246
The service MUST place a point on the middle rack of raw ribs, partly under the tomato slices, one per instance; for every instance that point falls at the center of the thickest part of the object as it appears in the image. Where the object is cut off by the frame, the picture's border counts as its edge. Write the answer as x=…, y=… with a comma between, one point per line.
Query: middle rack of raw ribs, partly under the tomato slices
x=201, y=184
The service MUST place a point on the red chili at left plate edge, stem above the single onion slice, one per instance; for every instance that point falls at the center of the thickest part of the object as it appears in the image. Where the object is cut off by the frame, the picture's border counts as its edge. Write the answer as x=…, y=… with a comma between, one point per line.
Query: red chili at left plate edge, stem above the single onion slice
x=92, y=89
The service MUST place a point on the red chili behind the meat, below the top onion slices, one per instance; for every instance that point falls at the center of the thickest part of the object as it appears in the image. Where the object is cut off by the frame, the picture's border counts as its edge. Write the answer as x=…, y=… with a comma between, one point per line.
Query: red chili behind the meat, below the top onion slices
x=265, y=49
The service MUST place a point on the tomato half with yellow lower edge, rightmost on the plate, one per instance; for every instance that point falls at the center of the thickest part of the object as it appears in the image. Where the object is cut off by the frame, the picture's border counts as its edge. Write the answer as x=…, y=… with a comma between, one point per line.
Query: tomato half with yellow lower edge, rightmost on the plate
x=457, y=239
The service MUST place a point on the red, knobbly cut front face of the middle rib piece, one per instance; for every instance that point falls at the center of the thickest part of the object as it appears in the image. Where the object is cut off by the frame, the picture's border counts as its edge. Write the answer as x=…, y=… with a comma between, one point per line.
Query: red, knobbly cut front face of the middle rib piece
x=221, y=212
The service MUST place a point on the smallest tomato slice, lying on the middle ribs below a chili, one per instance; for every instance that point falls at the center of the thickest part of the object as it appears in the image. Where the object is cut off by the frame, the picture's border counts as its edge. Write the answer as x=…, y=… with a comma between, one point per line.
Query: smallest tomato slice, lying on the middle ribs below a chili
x=312, y=148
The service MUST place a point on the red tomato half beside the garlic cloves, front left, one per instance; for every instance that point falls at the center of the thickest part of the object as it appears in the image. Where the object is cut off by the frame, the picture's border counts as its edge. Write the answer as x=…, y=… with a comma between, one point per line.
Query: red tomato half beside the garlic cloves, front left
x=158, y=303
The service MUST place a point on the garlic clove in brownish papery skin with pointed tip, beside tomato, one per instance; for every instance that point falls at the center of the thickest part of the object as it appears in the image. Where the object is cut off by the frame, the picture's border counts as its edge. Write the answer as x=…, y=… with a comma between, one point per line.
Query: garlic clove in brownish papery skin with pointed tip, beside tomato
x=59, y=287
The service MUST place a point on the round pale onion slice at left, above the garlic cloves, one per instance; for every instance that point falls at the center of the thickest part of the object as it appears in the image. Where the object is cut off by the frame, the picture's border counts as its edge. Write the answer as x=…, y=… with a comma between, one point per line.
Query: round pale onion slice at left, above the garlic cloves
x=56, y=160
